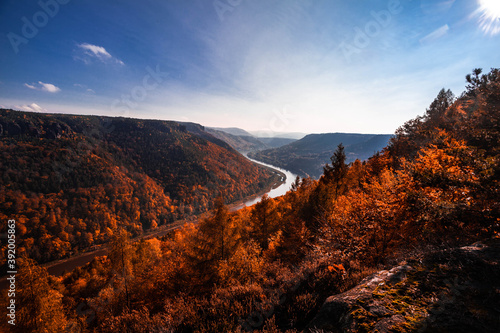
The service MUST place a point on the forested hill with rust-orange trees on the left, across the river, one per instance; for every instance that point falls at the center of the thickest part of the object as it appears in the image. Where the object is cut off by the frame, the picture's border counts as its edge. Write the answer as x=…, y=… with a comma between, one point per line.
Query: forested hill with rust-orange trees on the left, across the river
x=71, y=181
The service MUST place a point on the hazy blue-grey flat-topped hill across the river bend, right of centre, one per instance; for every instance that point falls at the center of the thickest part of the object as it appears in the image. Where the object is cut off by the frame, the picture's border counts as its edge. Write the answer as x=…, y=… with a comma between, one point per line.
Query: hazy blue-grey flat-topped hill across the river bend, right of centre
x=307, y=156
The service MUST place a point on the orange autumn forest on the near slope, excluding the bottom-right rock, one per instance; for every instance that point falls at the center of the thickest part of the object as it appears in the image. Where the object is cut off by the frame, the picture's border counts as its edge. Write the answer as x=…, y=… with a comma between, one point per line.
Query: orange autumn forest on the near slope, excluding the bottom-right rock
x=271, y=266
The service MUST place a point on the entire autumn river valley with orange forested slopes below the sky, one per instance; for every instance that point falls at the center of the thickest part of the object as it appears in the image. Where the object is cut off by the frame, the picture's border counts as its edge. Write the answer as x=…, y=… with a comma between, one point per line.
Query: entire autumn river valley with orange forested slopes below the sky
x=390, y=232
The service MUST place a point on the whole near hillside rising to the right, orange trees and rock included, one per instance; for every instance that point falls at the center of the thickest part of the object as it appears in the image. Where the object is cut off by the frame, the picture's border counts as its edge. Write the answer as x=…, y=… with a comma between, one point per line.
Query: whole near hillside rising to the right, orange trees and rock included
x=389, y=245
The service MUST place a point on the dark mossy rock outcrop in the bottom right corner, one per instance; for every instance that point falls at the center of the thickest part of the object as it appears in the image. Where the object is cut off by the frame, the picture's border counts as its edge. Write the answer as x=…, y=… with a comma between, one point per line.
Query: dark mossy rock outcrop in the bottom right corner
x=454, y=290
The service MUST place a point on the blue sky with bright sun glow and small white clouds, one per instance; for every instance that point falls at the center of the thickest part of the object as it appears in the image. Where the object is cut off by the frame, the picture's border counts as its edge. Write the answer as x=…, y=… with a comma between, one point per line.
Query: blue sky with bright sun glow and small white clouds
x=309, y=66
